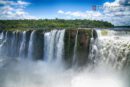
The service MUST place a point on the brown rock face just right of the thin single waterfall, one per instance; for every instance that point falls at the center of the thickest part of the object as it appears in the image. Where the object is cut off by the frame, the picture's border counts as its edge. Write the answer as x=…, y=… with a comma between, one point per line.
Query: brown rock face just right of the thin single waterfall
x=83, y=46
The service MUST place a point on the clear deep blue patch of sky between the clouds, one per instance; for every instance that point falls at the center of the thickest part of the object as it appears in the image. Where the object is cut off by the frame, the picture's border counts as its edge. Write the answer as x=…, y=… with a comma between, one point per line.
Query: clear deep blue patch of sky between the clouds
x=49, y=8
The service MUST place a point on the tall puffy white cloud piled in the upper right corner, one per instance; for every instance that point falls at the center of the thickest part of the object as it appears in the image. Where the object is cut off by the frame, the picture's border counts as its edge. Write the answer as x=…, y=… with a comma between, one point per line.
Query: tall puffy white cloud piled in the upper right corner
x=118, y=11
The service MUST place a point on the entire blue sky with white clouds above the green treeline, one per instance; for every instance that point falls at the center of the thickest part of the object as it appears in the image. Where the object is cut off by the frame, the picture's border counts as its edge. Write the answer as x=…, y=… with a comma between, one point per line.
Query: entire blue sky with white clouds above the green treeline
x=115, y=11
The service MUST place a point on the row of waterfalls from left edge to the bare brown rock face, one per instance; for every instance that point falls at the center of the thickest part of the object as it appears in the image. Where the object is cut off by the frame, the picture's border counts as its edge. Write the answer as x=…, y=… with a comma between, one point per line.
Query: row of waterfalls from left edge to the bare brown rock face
x=28, y=44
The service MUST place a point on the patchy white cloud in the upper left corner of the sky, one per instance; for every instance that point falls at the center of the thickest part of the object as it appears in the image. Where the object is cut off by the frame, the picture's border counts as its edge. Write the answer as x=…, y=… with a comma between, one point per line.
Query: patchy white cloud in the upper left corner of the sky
x=14, y=10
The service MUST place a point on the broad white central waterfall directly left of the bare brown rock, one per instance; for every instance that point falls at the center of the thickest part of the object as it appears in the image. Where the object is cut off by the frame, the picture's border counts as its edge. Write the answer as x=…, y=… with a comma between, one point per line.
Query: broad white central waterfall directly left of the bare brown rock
x=54, y=45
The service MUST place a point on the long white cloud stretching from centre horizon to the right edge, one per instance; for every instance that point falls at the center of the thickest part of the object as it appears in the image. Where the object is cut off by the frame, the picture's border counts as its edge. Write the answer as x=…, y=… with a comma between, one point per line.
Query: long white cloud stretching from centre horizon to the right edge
x=117, y=12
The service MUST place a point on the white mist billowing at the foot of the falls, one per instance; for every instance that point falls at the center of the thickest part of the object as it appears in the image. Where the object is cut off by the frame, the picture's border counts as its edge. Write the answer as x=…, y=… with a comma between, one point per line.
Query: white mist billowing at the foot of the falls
x=42, y=74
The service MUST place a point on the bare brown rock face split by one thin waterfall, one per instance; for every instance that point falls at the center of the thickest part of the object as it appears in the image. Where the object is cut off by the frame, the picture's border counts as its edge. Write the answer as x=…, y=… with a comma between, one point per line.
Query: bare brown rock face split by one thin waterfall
x=82, y=50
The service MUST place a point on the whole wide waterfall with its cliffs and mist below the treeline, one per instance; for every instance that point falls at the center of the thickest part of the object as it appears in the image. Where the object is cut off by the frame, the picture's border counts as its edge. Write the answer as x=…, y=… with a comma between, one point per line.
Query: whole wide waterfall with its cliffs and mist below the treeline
x=45, y=58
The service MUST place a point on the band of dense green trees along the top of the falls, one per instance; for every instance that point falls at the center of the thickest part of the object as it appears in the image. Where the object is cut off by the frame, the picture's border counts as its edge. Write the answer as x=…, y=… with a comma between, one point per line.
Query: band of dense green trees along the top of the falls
x=52, y=23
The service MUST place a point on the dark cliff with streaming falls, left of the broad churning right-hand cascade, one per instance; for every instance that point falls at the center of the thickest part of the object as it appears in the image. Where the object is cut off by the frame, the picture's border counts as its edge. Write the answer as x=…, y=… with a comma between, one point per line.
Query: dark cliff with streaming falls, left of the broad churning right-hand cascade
x=39, y=44
